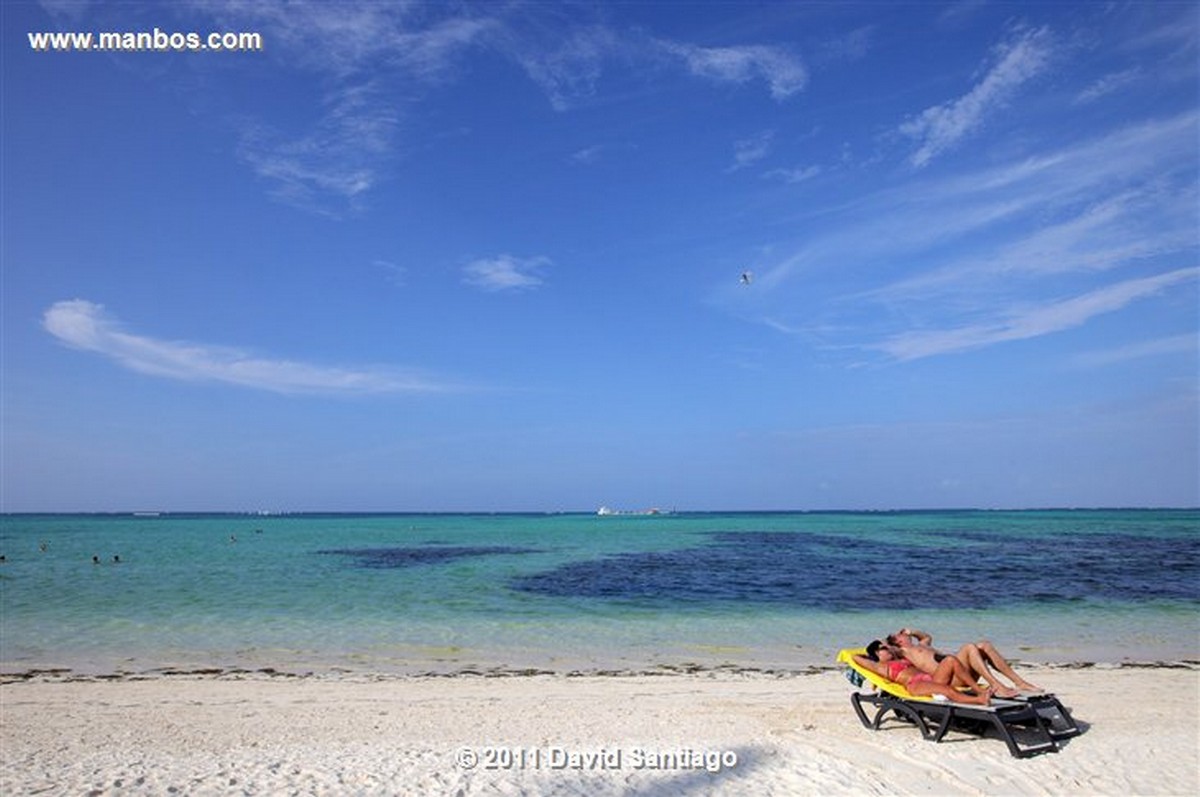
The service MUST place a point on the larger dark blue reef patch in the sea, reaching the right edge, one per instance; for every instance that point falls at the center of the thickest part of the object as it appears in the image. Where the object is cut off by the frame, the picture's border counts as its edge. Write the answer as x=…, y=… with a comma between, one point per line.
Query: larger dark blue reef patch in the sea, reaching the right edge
x=844, y=573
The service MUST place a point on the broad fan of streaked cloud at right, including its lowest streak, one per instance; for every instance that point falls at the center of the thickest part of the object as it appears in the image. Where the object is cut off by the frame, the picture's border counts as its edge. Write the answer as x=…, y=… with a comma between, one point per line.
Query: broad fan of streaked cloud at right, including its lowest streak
x=958, y=263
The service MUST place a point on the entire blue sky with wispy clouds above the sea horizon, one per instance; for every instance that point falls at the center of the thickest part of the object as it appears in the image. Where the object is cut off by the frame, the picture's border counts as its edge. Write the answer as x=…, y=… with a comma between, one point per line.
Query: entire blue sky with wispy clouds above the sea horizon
x=489, y=256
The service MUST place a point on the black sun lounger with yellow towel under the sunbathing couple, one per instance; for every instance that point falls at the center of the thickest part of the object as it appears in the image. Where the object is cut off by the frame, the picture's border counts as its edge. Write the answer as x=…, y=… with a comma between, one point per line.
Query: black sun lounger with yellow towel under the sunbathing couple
x=1029, y=726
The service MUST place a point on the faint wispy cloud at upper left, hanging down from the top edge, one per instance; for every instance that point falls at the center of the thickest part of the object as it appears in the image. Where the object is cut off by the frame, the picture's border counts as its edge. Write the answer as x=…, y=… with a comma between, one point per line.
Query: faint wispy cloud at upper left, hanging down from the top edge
x=333, y=165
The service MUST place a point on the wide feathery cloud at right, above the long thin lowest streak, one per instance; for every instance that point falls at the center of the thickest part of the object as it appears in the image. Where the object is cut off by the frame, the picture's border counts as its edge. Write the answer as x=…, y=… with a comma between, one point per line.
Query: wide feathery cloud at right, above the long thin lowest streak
x=1096, y=206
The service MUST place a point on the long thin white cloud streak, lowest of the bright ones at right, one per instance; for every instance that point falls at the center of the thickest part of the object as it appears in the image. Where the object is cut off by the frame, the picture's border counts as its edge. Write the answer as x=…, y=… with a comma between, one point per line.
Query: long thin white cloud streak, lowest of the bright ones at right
x=1033, y=322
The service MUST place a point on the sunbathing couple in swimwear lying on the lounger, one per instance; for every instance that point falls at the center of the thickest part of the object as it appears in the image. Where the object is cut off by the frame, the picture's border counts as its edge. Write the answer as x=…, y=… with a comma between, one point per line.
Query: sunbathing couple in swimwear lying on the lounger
x=909, y=658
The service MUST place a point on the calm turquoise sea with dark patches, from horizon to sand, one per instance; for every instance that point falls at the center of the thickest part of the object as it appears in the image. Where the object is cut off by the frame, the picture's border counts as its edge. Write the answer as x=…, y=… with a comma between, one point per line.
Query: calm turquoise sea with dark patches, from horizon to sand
x=416, y=594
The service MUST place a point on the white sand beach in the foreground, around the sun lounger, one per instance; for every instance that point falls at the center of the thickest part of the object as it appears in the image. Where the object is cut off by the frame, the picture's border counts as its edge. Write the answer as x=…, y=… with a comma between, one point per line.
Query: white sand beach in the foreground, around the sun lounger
x=700, y=734
